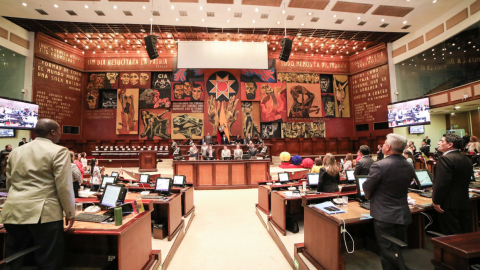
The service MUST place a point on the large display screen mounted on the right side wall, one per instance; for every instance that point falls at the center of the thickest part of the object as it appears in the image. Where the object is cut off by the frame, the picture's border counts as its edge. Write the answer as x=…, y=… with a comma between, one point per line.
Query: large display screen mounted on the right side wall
x=409, y=113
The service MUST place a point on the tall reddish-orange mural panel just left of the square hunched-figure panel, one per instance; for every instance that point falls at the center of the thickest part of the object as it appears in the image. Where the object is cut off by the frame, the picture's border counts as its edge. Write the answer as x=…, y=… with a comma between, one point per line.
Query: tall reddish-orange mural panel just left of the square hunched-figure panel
x=273, y=102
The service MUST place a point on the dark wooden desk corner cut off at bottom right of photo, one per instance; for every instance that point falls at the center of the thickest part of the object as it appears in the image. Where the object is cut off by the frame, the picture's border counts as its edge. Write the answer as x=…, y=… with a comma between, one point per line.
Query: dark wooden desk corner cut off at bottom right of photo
x=456, y=251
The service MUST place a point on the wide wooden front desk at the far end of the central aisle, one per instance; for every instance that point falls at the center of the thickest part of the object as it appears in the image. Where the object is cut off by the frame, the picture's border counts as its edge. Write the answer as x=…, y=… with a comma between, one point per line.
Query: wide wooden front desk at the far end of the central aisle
x=223, y=174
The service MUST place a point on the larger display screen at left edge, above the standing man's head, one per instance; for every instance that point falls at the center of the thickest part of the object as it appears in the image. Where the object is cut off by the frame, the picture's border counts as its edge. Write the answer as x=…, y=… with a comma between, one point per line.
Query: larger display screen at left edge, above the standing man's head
x=18, y=114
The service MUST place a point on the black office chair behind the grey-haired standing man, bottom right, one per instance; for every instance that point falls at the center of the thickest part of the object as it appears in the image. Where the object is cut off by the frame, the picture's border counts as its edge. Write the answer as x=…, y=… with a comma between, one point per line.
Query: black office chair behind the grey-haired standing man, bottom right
x=410, y=259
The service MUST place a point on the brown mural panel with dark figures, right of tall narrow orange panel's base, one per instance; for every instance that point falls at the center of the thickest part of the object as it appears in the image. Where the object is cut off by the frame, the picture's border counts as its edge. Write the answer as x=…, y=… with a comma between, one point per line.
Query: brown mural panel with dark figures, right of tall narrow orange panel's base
x=155, y=123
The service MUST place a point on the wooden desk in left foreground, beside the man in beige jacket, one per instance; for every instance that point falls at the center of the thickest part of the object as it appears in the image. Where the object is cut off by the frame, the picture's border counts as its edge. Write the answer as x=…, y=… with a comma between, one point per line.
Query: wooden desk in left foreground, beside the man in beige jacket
x=91, y=244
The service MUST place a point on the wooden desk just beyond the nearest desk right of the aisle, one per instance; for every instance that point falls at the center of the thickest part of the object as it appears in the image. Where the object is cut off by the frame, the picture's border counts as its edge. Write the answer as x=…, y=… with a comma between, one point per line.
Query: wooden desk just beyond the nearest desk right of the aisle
x=283, y=206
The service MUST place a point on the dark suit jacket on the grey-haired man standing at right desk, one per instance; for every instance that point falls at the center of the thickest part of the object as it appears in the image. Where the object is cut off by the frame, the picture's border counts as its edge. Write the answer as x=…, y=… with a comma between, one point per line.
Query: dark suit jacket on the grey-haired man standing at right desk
x=387, y=188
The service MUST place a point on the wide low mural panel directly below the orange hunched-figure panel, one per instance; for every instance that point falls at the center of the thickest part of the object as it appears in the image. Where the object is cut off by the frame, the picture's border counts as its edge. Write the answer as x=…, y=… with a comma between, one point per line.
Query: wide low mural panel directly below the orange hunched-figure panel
x=303, y=130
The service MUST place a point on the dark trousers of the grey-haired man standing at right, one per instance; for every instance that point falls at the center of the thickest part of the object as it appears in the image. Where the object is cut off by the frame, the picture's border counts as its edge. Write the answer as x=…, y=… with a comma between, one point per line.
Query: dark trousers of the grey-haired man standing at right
x=396, y=230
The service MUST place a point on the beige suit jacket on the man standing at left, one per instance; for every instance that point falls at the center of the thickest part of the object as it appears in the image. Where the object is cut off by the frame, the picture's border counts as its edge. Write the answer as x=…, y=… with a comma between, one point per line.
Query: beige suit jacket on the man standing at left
x=39, y=184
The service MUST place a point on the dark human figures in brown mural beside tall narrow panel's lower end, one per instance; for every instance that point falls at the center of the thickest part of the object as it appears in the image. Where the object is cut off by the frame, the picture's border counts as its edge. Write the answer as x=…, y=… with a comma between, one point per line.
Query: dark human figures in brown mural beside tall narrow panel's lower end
x=155, y=125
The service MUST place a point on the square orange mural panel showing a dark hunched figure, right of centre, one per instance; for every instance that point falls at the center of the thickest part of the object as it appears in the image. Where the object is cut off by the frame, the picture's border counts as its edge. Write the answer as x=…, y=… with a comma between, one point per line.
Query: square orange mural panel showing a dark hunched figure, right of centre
x=304, y=100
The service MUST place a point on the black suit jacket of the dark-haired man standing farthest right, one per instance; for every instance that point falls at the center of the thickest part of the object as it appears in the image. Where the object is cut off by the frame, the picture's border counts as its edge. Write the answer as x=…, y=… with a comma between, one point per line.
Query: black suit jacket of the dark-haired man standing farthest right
x=450, y=183
